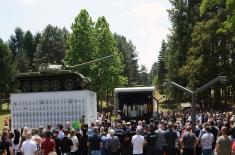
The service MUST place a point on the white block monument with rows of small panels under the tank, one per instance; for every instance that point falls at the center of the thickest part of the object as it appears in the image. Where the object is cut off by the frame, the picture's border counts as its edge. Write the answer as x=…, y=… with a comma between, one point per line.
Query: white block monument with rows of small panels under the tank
x=43, y=108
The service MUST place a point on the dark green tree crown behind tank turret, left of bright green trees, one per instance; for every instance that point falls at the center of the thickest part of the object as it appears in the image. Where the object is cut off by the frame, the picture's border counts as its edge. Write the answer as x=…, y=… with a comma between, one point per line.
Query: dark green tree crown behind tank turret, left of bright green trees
x=52, y=43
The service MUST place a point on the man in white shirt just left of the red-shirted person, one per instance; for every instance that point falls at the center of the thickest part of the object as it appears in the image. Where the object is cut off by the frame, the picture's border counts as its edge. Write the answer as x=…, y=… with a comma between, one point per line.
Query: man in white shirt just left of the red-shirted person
x=29, y=147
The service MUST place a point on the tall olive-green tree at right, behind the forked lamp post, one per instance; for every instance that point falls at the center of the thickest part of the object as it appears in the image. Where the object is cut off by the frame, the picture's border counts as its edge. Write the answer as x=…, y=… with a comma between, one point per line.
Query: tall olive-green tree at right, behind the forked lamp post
x=207, y=55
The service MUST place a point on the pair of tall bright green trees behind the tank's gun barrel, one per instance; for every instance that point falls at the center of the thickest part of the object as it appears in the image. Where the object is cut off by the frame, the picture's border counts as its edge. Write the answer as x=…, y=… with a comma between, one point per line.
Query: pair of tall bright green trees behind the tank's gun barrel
x=89, y=40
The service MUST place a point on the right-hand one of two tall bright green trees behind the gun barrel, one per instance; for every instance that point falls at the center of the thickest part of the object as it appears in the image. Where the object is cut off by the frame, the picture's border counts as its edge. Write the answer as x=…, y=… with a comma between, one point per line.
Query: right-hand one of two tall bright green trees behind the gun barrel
x=110, y=71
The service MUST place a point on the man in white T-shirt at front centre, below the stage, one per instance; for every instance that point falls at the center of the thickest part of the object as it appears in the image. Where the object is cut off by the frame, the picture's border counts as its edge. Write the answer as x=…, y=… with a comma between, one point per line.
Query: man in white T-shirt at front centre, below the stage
x=138, y=143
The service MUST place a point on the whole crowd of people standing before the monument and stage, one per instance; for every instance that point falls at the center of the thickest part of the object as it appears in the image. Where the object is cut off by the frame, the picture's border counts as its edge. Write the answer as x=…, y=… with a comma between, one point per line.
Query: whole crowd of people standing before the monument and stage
x=167, y=133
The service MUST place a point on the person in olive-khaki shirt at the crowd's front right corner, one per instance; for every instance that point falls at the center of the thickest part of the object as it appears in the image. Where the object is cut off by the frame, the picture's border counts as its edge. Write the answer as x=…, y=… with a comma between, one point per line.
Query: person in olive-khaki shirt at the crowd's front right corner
x=223, y=143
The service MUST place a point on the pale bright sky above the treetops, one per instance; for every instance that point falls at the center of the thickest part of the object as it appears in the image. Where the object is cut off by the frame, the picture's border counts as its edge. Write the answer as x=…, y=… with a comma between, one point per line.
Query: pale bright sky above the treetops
x=145, y=22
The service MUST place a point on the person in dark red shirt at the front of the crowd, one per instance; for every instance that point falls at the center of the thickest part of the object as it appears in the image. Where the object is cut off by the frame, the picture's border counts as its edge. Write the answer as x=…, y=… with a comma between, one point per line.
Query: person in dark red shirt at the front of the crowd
x=48, y=144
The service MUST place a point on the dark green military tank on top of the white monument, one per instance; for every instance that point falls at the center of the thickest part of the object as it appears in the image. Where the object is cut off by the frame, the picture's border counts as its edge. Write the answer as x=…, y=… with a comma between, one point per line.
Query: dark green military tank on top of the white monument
x=52, y=77
